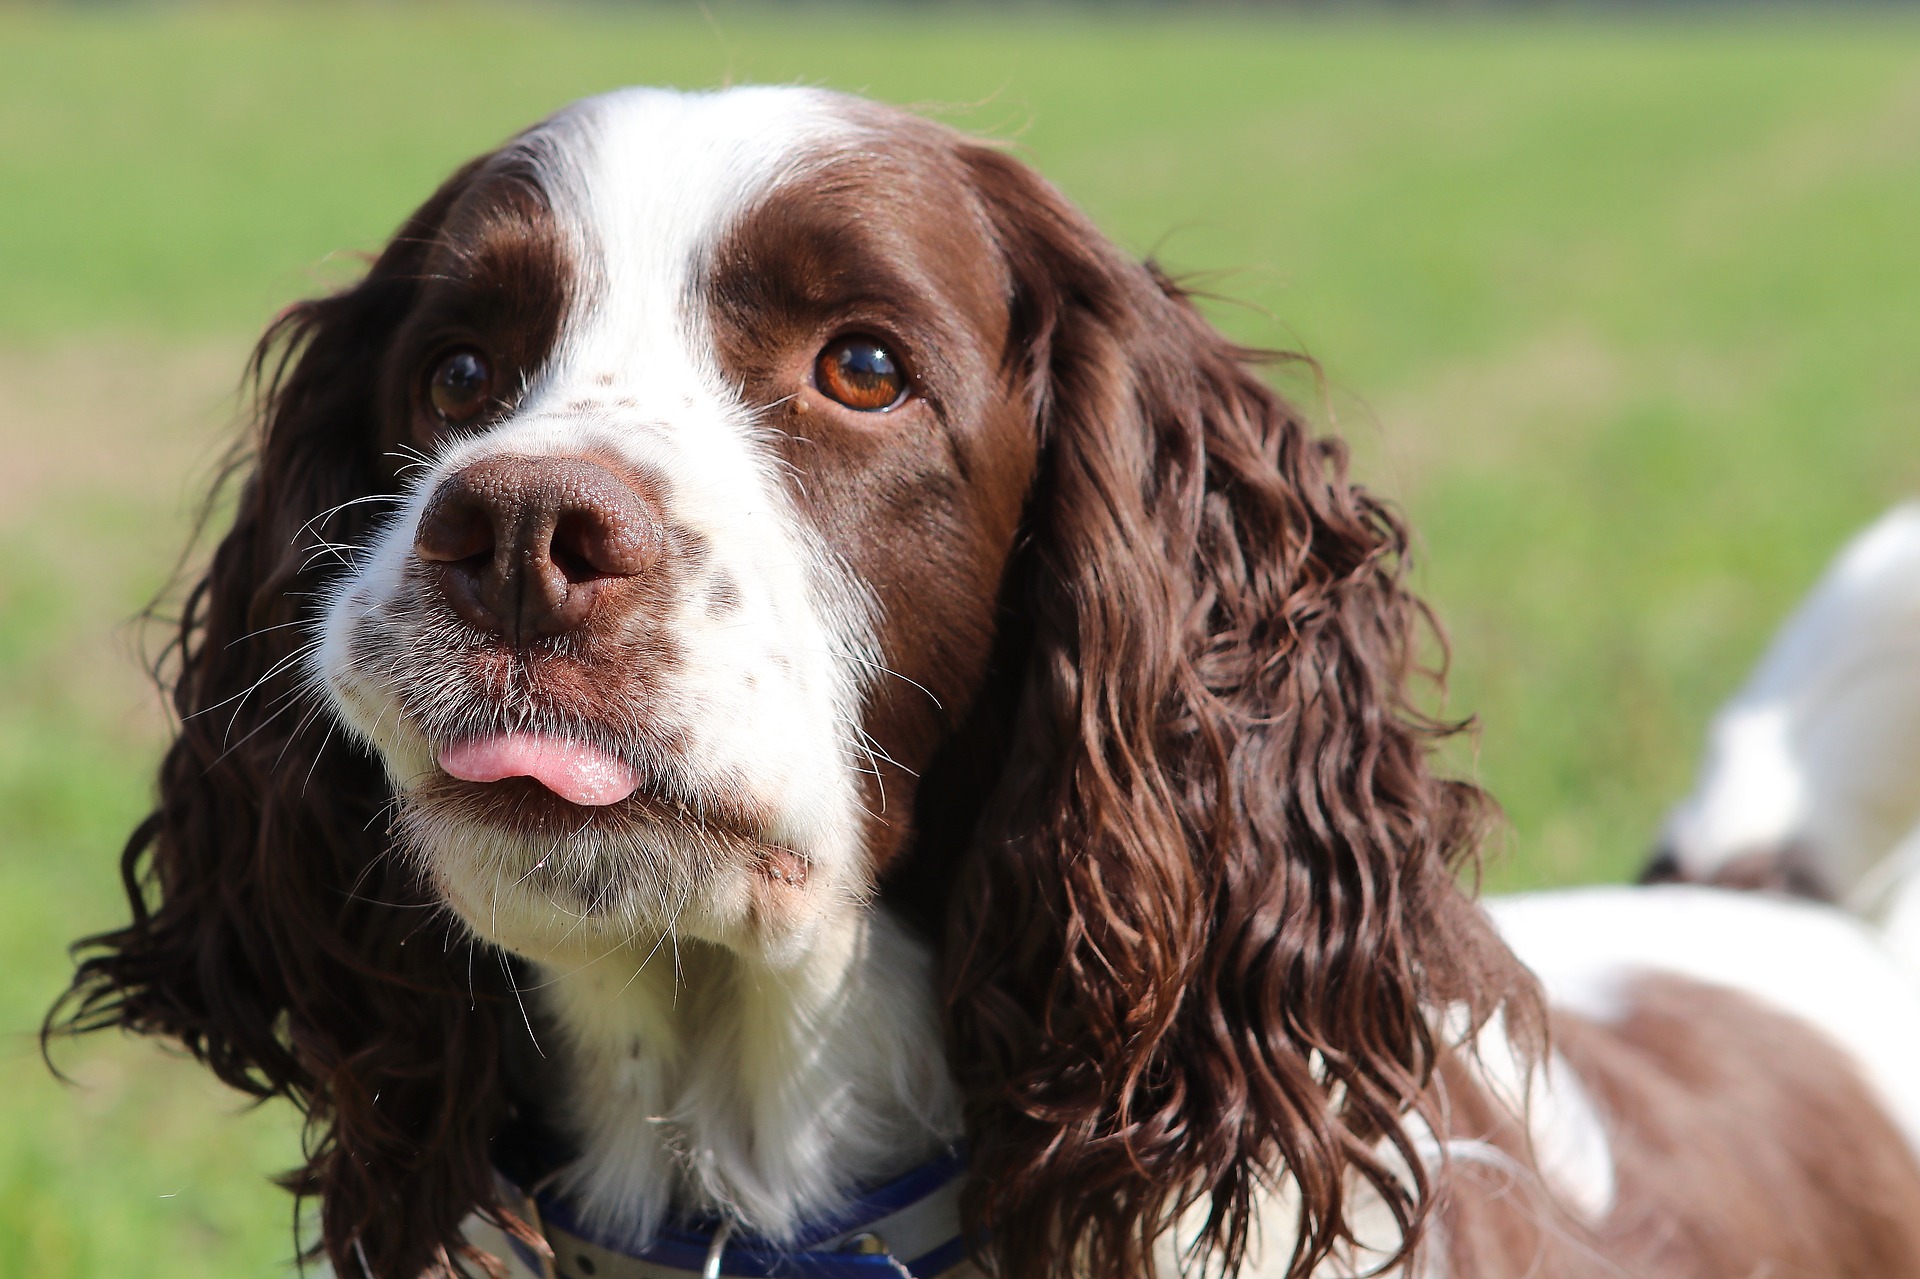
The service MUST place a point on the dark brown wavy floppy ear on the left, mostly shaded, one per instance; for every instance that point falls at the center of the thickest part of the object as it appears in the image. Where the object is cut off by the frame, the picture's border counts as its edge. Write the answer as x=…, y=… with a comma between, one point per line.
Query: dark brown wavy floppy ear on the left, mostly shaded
x=272, y=932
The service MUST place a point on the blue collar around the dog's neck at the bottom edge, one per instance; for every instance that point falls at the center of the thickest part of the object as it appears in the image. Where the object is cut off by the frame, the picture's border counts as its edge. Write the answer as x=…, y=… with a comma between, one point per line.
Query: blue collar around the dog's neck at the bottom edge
x=903, y=1230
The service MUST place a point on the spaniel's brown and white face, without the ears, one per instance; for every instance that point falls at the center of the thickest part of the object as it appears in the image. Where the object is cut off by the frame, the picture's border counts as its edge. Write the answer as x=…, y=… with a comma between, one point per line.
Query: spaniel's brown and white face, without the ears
x=711, y=458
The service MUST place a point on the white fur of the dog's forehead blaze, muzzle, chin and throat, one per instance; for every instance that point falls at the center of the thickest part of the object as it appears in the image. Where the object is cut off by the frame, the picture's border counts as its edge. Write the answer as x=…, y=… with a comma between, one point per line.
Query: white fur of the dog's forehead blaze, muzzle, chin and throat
x=759, y=1067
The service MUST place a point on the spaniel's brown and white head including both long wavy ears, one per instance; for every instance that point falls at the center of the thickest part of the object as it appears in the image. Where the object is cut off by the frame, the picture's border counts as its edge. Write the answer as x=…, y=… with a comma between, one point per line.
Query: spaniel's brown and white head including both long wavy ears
x=721, y=514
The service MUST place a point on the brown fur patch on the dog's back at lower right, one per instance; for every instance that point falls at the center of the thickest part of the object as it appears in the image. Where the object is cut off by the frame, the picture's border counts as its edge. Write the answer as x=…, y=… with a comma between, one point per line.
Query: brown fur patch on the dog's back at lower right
x=1744, y=1146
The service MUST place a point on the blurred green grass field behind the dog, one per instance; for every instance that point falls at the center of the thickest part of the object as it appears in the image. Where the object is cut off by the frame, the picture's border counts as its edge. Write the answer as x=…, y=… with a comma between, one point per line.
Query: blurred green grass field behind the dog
x=1627, y=316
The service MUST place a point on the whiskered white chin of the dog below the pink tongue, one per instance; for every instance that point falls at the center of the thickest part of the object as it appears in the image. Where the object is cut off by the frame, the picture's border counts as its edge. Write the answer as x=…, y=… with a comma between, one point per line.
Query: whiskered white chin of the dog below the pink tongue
x=564, y=882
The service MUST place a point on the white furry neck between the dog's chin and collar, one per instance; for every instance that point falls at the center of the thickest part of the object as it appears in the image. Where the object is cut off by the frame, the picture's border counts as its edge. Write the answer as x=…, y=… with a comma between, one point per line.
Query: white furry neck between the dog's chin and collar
x=708, y=1082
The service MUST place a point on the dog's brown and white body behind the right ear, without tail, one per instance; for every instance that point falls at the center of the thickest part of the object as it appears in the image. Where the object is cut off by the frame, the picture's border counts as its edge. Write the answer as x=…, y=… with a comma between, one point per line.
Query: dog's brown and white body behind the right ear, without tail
x=1679, y=1017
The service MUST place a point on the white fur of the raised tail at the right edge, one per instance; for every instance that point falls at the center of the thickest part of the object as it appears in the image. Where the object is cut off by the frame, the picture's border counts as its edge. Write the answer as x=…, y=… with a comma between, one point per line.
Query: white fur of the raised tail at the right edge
x=1821, y=748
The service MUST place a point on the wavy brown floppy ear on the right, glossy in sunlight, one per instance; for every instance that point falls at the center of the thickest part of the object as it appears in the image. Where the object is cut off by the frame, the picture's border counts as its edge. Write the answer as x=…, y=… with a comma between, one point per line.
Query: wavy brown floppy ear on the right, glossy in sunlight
x=1199, y=942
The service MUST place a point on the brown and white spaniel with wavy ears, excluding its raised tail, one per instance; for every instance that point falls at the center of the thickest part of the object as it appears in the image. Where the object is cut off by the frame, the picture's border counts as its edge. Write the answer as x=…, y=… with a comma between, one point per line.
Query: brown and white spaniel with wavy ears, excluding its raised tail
x=773, y=704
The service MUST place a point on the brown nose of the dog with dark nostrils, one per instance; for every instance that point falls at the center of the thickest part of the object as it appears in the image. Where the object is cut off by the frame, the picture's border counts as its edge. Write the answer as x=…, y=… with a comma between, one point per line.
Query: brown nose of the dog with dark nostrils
x=523, y=546
